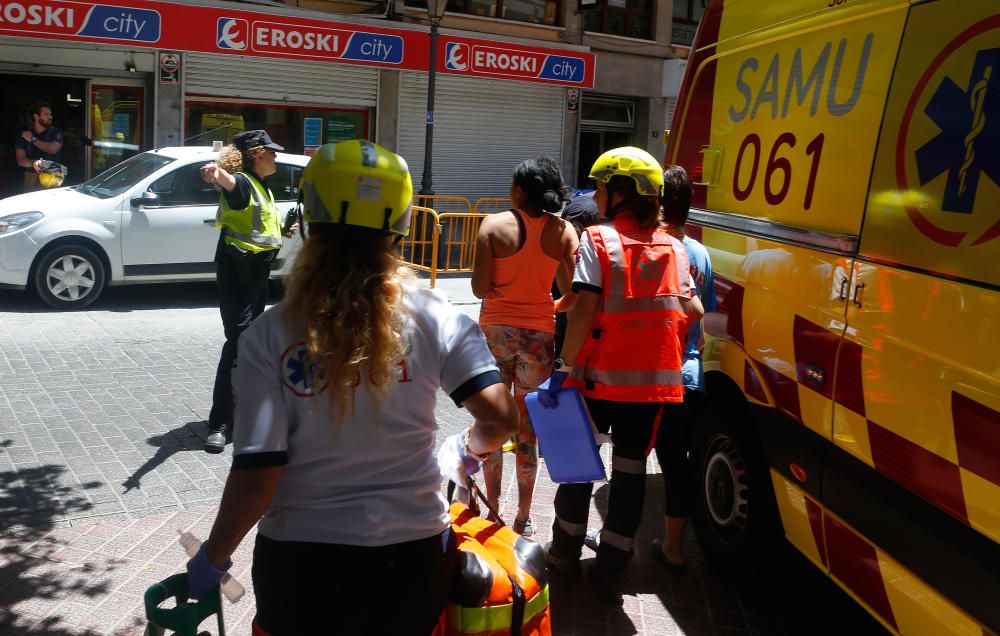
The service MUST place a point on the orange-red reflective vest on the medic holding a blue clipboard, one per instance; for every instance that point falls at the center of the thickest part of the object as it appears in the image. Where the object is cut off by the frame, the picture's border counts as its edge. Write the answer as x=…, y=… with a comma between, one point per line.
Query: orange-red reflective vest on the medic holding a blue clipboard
x=636, y=348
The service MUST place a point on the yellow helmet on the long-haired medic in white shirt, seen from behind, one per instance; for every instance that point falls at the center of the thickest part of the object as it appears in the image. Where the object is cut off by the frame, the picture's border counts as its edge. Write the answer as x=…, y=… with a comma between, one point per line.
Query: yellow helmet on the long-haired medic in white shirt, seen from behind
x=358, y=183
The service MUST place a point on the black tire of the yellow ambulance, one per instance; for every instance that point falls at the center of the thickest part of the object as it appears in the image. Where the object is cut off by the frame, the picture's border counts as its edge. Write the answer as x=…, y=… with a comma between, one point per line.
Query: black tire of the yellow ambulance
x=734, y=512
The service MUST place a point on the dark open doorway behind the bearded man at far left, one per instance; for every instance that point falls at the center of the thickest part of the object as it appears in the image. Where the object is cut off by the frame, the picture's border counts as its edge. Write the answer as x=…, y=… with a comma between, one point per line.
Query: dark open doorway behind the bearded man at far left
x=67, y=97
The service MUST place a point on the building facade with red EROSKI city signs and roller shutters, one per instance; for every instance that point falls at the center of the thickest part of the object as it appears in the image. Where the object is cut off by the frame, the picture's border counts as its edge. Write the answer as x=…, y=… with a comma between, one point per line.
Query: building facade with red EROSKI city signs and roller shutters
x=514, y=79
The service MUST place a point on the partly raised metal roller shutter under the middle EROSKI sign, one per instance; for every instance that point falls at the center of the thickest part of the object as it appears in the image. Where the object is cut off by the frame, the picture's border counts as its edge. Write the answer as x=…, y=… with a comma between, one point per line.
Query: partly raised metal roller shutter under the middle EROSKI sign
x=280, y=80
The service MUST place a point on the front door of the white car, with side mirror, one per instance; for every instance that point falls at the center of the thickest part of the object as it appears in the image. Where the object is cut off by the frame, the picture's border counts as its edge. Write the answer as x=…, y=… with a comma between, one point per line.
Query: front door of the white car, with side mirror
x=175, y=237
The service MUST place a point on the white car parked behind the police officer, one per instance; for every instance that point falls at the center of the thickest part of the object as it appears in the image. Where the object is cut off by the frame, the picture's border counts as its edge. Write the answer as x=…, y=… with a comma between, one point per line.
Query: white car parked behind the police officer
x=148, y=219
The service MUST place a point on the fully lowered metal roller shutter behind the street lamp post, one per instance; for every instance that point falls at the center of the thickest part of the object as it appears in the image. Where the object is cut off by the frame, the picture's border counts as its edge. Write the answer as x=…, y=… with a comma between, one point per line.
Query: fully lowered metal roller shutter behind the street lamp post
x=482, y=129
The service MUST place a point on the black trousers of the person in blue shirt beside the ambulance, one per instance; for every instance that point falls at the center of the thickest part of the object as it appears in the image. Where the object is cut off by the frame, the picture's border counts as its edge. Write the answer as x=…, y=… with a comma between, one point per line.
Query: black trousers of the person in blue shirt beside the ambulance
x=672, y=442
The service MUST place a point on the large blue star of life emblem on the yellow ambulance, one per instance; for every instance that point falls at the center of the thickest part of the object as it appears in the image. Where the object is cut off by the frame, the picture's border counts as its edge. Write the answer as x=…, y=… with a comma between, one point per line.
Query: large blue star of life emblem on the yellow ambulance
x=969, y=121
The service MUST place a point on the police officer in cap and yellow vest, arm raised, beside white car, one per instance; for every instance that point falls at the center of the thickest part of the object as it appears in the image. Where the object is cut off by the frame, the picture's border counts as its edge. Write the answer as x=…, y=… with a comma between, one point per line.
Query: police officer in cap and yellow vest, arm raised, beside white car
x=249, y=241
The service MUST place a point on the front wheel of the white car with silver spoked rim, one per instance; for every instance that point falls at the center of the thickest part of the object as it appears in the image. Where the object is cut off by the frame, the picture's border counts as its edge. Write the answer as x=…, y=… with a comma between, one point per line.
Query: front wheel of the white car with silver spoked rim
x=69, y=277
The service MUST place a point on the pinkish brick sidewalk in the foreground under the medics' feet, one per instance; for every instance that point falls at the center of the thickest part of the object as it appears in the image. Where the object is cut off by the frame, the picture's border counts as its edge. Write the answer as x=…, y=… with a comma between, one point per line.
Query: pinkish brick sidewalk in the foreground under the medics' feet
x=88, y=576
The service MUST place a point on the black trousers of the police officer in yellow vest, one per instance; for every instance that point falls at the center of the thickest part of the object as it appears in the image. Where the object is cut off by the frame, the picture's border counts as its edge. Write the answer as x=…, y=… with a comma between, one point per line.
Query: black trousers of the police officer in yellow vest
x=242, y=281
